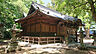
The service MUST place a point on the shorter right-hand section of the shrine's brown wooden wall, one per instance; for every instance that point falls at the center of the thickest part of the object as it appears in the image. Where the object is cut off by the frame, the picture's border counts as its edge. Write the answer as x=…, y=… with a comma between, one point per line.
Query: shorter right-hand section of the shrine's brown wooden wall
x=63, y=30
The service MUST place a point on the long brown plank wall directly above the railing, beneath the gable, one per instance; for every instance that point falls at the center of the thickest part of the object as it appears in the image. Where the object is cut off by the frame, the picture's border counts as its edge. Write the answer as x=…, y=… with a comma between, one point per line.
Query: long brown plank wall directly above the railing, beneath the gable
x=39, y=28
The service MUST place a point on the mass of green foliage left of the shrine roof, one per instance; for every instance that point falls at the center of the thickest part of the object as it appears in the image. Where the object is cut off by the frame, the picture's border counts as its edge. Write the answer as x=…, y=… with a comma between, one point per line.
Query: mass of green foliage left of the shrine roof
x=11, y=10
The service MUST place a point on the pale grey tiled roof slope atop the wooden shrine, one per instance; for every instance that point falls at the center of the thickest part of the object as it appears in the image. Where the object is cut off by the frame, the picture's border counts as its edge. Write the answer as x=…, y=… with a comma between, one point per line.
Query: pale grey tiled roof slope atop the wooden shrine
x=49, y=12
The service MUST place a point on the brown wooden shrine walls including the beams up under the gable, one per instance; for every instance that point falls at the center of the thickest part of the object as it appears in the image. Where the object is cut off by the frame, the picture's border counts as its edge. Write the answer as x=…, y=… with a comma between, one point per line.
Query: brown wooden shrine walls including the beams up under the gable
x=46, y=26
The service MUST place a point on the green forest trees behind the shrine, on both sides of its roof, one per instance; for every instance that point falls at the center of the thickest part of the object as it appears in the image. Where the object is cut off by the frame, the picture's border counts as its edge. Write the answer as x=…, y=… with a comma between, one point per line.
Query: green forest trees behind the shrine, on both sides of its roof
x=16, y=9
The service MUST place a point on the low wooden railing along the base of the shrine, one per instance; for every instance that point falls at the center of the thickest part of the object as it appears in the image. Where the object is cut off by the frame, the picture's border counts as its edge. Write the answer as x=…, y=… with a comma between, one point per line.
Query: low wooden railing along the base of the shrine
x=41, y=40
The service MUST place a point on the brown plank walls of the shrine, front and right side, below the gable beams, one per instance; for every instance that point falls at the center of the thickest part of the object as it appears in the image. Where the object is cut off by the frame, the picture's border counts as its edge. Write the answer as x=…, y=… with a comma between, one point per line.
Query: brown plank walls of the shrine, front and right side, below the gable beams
x=47, y=28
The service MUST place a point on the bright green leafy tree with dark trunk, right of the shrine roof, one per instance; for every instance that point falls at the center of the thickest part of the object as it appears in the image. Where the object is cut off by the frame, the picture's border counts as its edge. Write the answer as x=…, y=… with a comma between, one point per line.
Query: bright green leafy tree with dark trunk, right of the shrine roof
x=83, y=9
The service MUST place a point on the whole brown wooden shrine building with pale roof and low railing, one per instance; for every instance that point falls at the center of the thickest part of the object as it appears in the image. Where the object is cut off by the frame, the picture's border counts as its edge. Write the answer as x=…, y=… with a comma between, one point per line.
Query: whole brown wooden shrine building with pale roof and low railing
x=44, y=25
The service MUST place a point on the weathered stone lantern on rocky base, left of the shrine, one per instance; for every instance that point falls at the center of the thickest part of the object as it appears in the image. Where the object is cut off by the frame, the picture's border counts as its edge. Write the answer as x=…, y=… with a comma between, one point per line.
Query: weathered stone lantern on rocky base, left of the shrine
x=13, y=44
